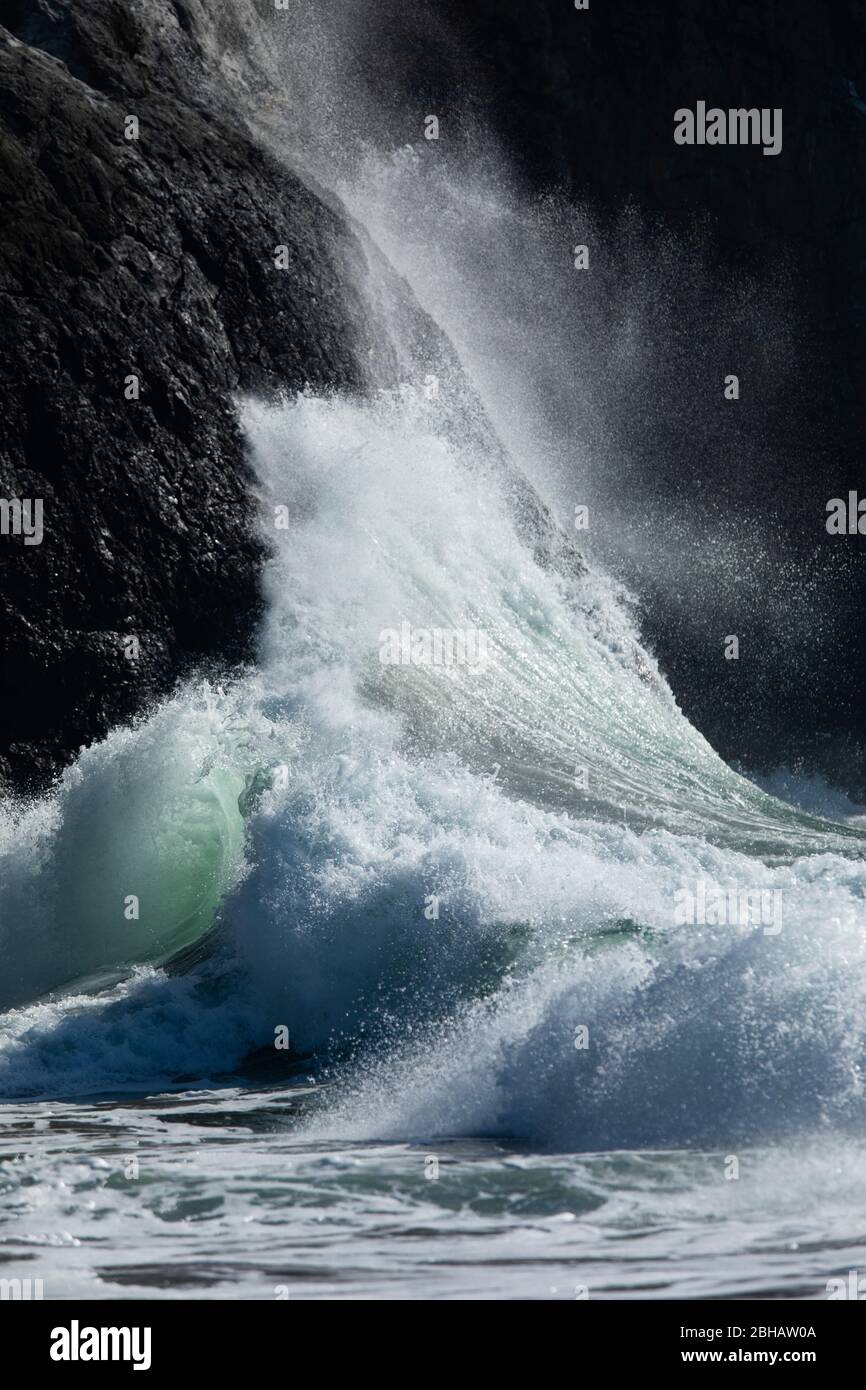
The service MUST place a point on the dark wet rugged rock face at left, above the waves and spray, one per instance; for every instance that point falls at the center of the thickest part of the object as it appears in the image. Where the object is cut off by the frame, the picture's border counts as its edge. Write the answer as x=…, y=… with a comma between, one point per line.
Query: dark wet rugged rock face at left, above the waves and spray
x=151, y=258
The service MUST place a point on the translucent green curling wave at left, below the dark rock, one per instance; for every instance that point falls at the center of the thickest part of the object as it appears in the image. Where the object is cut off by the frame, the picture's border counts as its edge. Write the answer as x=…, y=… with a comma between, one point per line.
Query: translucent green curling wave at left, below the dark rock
x=129, y=861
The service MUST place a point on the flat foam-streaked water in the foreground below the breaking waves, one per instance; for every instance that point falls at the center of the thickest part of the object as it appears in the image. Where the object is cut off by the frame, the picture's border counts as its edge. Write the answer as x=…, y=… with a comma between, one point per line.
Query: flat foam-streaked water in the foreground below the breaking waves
x=230, y=1203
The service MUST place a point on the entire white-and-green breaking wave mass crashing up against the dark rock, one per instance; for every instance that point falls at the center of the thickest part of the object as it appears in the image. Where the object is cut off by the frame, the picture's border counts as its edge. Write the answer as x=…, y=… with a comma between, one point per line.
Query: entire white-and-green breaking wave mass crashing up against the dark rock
x=450, y=872
